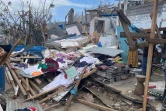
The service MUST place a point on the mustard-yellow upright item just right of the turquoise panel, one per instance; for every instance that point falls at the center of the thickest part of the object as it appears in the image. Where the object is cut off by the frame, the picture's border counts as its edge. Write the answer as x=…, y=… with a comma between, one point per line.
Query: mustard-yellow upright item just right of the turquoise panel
x=133, y=58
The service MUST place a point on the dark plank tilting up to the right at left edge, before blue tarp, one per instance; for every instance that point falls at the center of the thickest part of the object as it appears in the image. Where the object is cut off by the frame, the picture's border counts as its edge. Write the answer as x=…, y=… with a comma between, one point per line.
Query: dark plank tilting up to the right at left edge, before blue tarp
x=8, y=55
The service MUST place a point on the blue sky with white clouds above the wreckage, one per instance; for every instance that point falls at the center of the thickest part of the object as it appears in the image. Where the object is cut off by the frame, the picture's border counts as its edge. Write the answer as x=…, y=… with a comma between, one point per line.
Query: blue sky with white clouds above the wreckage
x=61, y=6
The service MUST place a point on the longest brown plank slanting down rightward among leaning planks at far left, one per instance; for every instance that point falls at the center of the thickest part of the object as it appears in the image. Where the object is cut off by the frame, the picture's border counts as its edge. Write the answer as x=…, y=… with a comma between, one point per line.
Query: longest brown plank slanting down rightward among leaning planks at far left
x=17, y=80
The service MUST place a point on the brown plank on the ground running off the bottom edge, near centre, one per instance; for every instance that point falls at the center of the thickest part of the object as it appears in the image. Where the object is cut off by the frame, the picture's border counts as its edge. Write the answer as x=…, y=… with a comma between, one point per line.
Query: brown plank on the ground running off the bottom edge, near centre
x=103, y=108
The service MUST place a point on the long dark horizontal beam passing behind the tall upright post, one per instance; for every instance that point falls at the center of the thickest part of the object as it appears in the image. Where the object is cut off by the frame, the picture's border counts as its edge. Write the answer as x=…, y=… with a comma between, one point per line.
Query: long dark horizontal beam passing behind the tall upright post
x=141, y=35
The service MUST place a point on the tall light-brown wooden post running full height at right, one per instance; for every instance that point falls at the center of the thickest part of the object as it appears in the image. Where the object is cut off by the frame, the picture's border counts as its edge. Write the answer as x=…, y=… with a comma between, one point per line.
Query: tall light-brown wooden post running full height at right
x=150, y=53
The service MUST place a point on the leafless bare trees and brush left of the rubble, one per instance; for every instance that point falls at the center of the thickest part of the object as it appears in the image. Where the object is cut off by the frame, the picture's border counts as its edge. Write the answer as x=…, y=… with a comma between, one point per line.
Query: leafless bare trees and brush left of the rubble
x=28, y=22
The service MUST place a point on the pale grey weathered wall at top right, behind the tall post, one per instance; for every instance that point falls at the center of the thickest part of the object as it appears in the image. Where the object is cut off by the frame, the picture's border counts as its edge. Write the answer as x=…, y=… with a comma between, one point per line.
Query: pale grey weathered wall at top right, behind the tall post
x=140, y=15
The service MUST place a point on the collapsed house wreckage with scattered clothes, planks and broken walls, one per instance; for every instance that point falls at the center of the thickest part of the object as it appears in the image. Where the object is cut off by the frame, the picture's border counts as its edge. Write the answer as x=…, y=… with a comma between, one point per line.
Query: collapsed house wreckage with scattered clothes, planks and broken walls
x=94, y=56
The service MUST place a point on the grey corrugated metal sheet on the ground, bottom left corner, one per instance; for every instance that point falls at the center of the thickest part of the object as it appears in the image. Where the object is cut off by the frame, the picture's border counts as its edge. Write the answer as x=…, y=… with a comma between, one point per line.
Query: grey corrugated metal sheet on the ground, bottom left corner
x=13, y=105
